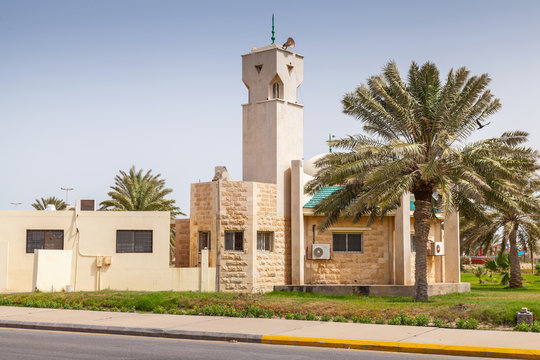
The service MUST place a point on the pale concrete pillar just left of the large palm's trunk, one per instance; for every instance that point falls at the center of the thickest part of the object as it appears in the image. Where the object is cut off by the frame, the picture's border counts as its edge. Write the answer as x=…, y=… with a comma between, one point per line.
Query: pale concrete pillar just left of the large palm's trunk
x=402, y=238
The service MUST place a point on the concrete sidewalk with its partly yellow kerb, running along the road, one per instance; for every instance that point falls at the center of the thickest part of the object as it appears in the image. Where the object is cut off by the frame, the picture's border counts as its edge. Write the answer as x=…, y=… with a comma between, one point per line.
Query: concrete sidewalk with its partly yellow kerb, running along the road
x=487, y=343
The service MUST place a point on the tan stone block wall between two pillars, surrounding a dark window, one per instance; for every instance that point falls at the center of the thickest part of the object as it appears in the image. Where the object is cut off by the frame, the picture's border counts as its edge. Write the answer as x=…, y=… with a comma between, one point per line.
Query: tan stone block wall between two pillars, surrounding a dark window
x=372, y=266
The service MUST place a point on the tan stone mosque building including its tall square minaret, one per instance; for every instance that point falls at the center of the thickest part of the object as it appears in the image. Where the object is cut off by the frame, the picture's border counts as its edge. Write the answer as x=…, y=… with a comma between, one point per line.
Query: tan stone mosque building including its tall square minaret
x=261, y=232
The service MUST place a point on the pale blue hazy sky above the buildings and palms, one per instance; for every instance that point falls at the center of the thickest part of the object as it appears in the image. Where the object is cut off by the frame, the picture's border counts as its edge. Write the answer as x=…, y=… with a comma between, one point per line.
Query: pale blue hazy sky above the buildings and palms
x=91, y=87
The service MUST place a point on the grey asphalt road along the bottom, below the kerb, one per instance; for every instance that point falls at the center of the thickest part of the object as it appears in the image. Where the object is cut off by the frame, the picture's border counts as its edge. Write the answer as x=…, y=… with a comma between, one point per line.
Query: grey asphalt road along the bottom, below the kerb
x=36, y=344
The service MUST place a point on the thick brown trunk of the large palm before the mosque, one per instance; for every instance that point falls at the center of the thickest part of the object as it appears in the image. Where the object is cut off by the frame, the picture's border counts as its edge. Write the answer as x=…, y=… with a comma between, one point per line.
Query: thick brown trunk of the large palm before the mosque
x=422, y=222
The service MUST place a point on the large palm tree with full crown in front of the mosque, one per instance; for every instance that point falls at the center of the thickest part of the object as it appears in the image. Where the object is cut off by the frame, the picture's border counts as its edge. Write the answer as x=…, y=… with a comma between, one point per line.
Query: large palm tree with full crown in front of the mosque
x=417, y=130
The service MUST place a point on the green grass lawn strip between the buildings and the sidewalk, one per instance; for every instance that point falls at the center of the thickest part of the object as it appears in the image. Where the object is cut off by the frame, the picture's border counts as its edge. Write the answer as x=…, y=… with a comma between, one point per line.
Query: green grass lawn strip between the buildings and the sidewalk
x=492, y=304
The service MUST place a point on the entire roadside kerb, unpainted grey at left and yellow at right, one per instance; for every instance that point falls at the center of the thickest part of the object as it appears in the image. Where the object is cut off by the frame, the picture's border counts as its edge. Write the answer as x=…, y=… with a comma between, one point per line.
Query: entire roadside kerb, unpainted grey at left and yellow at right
x=394, y=346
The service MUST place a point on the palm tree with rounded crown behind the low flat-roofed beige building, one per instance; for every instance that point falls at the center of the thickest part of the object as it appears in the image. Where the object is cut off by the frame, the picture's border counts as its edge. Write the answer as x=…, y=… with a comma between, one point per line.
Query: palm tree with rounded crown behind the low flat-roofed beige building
x=138, y=191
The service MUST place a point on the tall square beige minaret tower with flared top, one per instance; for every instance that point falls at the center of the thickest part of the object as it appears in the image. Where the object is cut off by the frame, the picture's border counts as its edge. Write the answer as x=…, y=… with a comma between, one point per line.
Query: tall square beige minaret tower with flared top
x=272, y=119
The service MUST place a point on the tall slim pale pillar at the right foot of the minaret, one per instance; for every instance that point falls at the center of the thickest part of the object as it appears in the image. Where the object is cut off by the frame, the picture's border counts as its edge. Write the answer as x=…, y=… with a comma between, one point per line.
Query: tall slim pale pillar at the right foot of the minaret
x=297, y=223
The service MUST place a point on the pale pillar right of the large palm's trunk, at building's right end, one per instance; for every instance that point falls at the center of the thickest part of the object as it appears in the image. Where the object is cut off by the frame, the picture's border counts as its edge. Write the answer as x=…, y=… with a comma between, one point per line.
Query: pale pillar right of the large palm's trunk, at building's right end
x=451, y=248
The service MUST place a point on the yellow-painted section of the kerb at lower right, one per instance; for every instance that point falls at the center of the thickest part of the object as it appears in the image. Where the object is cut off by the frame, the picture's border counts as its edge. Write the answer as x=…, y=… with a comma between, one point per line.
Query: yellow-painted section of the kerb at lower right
x=478, y=351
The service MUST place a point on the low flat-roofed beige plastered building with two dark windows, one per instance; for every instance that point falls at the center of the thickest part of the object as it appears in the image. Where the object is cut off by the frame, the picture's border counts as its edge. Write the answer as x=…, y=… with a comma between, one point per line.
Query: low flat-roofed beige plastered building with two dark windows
x=90, y=251
